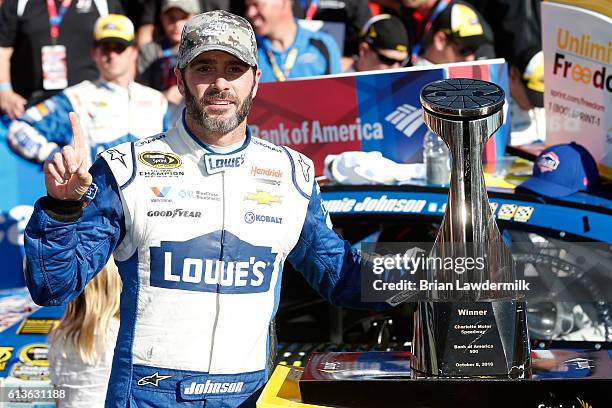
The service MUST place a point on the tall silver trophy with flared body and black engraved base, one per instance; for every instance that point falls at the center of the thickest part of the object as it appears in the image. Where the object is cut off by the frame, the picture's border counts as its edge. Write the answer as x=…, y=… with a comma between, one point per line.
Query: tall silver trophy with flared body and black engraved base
x=475, y=332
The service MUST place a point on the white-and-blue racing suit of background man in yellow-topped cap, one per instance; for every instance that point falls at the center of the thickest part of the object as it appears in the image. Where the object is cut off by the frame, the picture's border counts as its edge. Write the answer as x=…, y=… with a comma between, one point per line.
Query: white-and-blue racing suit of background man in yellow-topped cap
x=109, y=115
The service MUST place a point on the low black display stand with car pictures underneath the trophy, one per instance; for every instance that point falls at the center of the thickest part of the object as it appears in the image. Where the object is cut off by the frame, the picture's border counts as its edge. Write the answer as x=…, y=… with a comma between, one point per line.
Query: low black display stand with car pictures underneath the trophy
x=561, y=378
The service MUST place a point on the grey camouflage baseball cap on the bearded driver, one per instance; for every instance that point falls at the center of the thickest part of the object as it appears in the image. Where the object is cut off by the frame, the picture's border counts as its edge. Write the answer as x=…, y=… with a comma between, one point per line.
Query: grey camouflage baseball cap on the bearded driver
x=221, y=31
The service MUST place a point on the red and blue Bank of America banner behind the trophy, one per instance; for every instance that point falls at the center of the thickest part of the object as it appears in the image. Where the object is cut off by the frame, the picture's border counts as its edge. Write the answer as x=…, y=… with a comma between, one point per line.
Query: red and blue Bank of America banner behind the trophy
x=366, y=112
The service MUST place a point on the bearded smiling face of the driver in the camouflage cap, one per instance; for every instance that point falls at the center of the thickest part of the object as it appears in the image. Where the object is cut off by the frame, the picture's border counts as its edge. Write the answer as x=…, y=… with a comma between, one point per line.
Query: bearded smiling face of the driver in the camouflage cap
x=218, y=89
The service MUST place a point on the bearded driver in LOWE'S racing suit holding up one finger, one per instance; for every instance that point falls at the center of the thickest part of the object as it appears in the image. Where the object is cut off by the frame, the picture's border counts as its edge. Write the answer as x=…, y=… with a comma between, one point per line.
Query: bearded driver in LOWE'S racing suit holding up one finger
x=200, y=220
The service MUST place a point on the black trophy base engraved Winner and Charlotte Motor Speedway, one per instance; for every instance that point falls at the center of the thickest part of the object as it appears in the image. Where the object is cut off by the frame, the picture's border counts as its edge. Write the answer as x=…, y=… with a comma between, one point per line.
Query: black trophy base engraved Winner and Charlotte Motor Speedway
x=471, y=339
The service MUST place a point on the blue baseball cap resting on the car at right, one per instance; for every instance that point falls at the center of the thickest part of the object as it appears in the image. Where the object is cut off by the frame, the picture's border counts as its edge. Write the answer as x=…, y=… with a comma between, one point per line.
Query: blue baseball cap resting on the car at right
x=562, y=170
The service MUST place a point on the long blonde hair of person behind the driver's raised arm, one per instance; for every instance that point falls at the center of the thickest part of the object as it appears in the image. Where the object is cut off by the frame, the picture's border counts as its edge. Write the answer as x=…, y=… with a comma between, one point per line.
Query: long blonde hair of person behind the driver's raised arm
x=87, y=317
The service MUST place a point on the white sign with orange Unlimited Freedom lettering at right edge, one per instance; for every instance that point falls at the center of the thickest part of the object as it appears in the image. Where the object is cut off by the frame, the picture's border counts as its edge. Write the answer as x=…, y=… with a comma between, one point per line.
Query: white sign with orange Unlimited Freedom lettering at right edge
x=578, y=78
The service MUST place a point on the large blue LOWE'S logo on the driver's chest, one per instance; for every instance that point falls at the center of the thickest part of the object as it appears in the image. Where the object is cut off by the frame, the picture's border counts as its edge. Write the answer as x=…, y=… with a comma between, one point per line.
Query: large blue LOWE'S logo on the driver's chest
x=195, y=265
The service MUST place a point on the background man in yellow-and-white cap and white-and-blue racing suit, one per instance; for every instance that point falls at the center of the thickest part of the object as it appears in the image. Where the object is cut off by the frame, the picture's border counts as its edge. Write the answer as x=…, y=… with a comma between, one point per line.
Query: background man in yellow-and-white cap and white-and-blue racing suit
x=114, y=109
